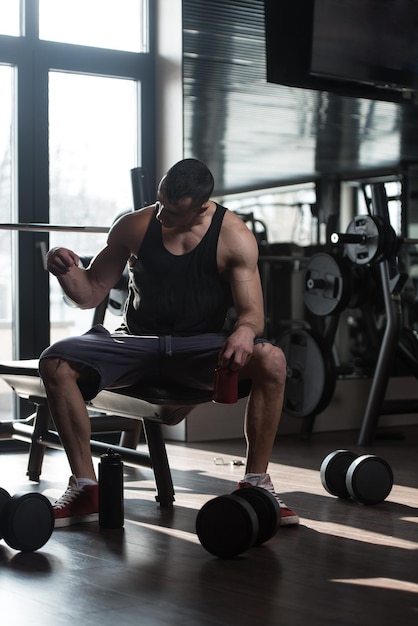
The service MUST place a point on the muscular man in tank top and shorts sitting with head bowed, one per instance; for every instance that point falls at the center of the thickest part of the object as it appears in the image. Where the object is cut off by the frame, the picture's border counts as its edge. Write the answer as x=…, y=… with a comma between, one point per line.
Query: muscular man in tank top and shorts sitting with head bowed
x=189, y=258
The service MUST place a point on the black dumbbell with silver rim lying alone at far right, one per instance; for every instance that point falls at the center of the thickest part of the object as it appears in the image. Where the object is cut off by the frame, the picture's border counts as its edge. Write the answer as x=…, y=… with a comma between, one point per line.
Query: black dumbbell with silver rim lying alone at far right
x=367, y=479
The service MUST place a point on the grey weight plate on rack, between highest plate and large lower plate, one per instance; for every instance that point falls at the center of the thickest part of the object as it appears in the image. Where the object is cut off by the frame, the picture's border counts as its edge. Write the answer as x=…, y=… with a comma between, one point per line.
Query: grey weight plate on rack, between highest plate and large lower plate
x=326, y=285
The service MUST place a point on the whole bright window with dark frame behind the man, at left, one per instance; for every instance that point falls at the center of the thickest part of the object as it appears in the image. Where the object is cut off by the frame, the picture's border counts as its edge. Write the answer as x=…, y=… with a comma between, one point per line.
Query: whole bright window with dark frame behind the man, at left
x=77, y=114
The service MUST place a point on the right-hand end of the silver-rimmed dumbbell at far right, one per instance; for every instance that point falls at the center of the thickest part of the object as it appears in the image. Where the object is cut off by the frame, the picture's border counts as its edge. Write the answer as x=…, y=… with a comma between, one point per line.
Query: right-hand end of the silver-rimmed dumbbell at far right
x=369, y=479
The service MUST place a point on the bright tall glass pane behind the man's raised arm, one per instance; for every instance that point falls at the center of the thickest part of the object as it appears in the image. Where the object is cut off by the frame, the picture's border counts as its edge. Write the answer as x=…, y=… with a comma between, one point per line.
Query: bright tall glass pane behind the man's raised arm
x=92, y=147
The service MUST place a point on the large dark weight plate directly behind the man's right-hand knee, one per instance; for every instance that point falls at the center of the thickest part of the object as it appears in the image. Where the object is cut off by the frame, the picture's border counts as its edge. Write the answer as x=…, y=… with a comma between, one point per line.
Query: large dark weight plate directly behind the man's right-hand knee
x=311, y=378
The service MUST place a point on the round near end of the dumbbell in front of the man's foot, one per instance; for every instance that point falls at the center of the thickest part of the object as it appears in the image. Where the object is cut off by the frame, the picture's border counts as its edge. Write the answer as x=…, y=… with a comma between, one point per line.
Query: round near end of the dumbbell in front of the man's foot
x=227, y=526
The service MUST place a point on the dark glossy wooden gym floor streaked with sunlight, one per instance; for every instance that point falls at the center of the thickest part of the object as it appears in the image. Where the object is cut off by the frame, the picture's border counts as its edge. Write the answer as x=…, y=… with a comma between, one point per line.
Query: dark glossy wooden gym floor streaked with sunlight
x=346, y=564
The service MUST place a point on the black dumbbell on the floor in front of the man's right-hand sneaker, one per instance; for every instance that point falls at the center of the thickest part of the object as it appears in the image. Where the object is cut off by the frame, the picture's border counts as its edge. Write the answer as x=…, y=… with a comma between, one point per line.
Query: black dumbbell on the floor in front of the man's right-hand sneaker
x=231, y=524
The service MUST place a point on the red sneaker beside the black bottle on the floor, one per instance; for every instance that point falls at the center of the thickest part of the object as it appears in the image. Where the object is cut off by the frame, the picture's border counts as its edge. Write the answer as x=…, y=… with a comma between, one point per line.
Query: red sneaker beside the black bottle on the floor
x=77, y=505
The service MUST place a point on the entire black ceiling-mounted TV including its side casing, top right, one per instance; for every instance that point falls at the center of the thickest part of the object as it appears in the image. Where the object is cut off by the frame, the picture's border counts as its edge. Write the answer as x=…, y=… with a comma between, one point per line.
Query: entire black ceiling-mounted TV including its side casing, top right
x=357, y=48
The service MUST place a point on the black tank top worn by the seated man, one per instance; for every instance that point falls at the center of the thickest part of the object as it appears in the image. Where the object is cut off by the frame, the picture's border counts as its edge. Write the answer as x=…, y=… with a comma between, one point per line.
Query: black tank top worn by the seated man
x=177, y=294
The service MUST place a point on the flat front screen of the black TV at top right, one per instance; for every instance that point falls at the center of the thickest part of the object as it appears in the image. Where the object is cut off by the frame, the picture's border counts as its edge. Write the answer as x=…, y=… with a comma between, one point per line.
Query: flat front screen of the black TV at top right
x=374, y=42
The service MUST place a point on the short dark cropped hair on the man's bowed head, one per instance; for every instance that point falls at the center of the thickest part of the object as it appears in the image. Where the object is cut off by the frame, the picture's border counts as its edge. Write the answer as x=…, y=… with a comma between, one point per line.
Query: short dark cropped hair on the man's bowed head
x=189, y=177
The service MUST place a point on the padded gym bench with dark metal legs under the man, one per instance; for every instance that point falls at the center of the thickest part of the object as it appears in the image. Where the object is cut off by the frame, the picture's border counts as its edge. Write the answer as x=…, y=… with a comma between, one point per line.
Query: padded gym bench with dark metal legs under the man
x=121, y=411
